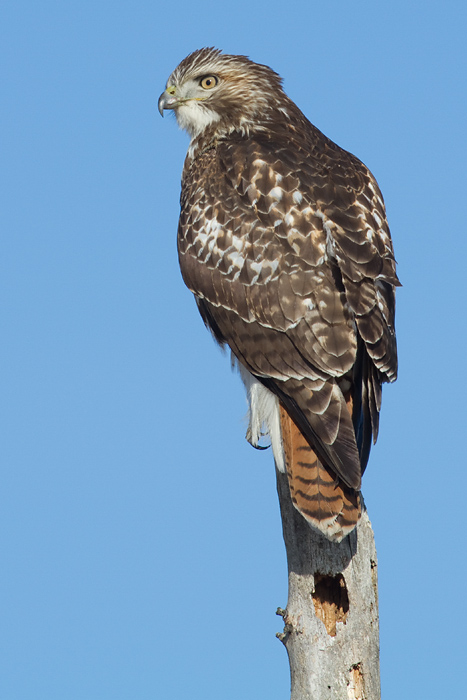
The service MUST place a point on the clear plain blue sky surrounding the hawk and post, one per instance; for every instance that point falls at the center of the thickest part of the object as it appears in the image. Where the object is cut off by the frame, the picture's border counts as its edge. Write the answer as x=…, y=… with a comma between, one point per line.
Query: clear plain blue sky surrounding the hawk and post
x=141, y=546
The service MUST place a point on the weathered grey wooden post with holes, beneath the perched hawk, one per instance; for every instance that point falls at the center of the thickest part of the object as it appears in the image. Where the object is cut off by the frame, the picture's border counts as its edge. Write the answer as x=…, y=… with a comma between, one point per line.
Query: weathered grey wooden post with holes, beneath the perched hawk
x=331, y=624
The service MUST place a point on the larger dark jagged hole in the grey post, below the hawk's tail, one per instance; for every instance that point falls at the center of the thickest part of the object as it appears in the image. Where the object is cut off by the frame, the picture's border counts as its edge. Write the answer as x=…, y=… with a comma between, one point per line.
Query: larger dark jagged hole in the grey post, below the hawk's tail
x=331, y=601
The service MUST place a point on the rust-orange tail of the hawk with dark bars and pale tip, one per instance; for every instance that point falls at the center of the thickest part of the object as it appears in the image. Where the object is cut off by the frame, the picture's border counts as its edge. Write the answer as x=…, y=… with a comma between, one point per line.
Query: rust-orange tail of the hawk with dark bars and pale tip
x=316, y=492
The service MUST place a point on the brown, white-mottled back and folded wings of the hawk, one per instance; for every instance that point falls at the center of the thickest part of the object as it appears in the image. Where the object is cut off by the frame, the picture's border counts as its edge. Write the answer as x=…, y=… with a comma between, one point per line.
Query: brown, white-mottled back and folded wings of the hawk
x=283, y=240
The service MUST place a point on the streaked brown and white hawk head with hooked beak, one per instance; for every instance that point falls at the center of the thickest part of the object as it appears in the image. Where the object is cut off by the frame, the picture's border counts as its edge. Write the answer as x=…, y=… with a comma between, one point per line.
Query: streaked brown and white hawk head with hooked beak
x=209, y=87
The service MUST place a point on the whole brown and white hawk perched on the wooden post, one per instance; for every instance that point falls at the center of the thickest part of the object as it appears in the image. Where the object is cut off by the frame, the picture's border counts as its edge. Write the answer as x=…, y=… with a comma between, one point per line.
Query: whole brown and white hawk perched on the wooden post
x=284, y=242
